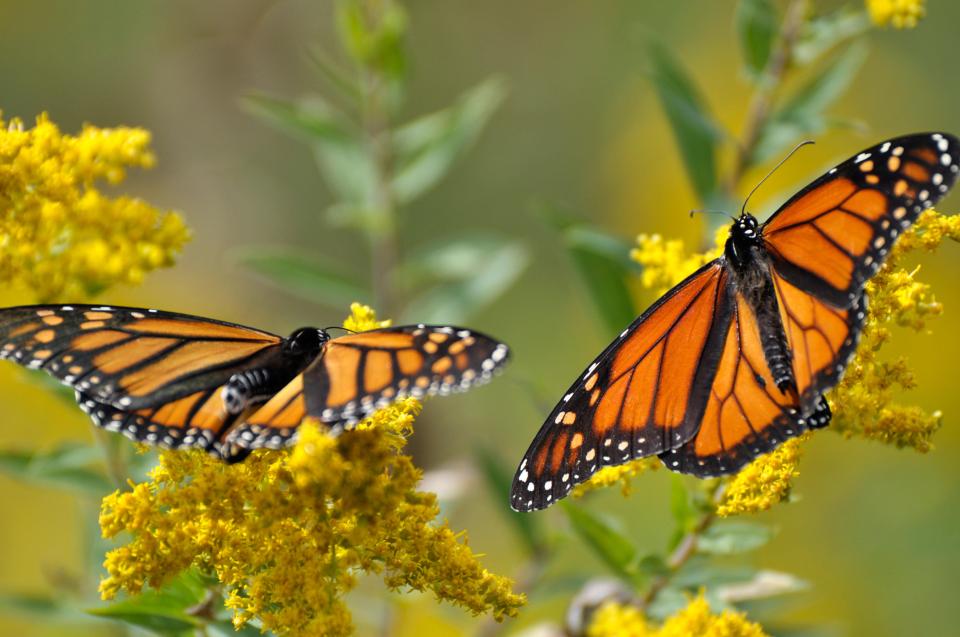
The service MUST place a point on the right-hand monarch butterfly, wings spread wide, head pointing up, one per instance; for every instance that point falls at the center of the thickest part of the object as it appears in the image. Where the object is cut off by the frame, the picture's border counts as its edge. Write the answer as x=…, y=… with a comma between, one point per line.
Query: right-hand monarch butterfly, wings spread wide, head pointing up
x=735, y=359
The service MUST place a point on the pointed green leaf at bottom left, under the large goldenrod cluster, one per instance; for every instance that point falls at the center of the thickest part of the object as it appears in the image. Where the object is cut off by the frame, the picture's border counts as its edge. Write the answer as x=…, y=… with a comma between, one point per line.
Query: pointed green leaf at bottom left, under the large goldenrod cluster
x=165, y=610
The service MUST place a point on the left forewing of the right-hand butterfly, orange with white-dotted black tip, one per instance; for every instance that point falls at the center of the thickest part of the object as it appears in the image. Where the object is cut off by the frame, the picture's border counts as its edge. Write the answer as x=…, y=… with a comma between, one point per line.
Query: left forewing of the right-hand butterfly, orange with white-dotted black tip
x=643, y=395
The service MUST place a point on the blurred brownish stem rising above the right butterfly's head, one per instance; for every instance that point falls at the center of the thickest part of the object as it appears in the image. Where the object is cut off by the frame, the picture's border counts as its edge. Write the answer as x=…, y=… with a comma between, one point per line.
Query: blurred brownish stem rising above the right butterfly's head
x=761, y=103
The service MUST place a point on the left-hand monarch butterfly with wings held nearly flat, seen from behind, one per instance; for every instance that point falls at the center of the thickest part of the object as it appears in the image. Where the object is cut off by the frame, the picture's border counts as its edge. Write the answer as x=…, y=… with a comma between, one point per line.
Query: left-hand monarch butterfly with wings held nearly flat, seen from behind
x=182, y=381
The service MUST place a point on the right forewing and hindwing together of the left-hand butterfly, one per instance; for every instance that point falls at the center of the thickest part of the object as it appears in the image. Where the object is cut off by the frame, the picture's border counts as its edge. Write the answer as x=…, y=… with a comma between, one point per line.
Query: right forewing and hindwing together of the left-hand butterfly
x=360, y=373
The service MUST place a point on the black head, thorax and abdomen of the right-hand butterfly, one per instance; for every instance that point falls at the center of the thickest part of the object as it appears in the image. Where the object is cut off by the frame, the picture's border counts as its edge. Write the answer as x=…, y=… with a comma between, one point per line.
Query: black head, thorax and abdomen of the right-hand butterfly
x=748, y=263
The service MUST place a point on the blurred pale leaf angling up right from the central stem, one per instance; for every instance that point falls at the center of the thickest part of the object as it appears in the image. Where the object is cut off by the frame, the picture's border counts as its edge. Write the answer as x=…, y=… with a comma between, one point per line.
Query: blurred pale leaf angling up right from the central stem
x=426, y=148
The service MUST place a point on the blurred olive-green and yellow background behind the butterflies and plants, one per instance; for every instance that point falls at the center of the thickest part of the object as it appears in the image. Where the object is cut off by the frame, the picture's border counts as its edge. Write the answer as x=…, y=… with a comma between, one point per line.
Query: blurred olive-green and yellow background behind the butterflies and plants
x=876, y=531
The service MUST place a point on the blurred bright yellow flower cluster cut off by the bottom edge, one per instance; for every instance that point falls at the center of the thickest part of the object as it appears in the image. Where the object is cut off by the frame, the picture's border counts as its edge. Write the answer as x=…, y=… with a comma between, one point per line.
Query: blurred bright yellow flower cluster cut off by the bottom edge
x=617, y=620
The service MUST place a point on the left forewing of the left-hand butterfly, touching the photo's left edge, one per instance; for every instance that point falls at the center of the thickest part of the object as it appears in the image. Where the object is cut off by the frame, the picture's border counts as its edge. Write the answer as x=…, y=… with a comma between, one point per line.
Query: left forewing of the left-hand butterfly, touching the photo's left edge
x=131, y=358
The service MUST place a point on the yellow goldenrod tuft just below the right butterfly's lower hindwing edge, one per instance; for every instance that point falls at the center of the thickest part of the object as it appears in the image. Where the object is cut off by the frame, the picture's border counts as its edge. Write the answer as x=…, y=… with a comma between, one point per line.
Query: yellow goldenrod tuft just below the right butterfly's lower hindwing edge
x=762, y=483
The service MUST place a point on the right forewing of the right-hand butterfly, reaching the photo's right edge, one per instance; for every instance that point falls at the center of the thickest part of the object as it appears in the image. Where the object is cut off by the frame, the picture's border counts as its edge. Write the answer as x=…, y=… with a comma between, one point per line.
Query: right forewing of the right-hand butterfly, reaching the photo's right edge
x=831, y=237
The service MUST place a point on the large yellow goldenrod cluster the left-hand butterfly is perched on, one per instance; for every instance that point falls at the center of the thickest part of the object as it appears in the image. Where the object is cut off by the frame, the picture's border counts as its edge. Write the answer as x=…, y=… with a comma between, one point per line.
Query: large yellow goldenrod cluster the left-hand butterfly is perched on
x=288, y=533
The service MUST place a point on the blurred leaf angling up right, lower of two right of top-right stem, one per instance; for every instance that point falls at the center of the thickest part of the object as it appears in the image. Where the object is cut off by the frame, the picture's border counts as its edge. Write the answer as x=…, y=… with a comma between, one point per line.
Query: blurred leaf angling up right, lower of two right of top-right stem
x=803, y=114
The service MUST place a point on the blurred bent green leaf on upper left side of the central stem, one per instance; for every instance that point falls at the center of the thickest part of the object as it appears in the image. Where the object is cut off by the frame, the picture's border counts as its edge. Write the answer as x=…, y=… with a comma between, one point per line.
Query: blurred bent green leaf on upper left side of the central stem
x=340, y=151
